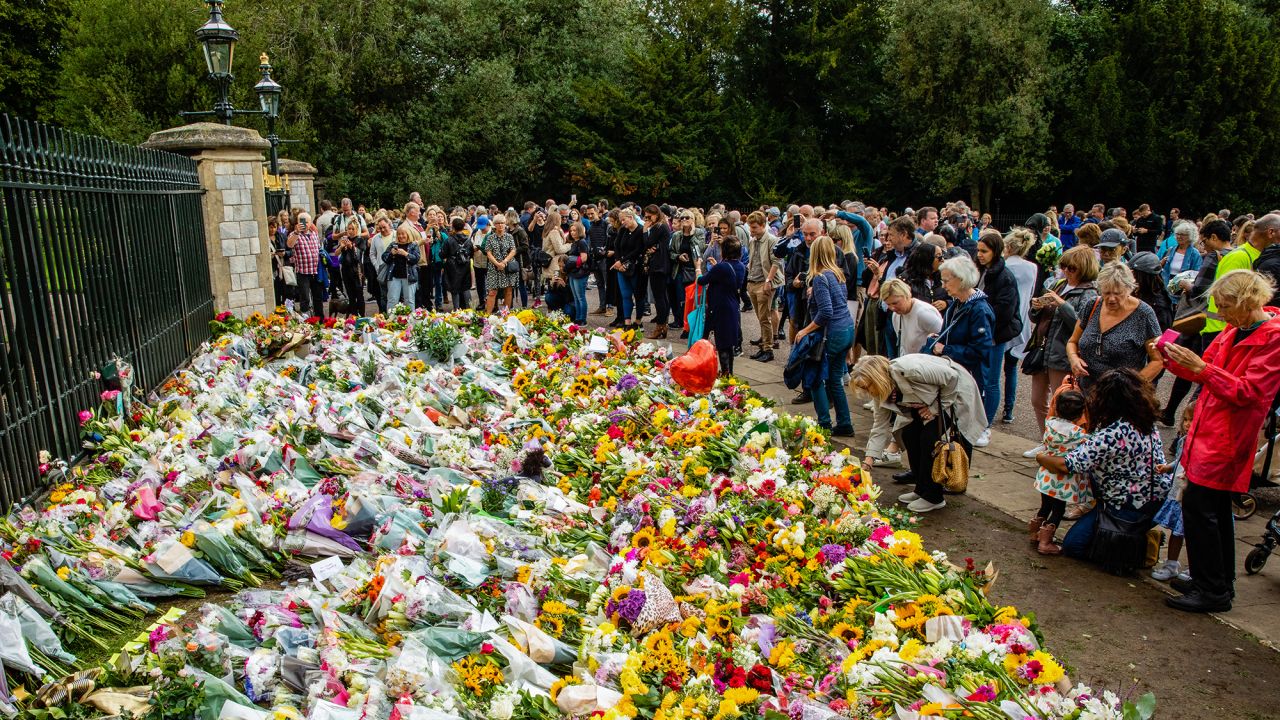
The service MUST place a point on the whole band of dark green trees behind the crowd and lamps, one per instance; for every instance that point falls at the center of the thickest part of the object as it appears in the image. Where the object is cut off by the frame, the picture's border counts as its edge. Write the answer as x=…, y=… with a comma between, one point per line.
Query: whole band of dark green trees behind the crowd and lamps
x=1163, y=102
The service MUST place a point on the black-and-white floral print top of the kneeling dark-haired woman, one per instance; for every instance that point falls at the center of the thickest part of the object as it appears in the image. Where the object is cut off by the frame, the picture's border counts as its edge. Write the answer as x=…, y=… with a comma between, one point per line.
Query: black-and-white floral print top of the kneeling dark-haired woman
x=1122, y=463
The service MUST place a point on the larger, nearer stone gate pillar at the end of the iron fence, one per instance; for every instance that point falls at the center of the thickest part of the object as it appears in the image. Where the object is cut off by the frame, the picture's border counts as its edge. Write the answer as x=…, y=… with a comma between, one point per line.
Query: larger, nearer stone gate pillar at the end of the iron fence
x=230, y=163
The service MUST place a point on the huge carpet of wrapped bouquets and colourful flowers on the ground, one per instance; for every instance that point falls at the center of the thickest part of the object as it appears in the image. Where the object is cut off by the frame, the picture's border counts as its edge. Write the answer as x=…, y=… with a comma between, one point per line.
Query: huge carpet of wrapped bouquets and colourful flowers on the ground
x=510, y=517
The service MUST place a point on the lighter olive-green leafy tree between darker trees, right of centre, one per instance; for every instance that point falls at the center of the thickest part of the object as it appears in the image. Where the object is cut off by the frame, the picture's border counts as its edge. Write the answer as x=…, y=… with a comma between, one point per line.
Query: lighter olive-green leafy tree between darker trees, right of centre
x=975, y=97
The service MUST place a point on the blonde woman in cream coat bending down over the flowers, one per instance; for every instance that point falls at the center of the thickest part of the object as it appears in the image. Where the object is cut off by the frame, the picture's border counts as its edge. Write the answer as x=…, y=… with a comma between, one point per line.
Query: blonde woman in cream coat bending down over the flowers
x=918, y=389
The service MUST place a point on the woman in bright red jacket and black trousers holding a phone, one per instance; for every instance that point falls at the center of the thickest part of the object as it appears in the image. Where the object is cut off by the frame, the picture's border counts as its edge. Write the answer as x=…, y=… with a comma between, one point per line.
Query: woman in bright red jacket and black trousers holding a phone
x=1240, y=377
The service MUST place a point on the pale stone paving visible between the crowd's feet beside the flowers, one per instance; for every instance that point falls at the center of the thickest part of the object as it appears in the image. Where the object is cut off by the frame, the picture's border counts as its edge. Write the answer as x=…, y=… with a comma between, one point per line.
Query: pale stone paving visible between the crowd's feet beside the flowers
x=1003, y=480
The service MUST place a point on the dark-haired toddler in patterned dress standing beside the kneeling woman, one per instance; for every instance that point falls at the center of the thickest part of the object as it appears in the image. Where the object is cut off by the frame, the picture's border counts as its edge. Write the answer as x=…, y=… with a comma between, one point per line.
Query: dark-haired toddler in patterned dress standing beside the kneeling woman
x=1063, y=432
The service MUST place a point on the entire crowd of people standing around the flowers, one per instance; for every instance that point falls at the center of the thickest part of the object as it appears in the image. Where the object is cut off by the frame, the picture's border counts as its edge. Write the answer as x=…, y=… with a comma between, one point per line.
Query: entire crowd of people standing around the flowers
x=932, y=315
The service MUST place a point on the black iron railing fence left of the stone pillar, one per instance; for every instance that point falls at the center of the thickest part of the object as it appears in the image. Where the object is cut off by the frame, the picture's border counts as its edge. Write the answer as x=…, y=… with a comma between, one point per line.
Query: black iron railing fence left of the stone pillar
x=102, y=254
